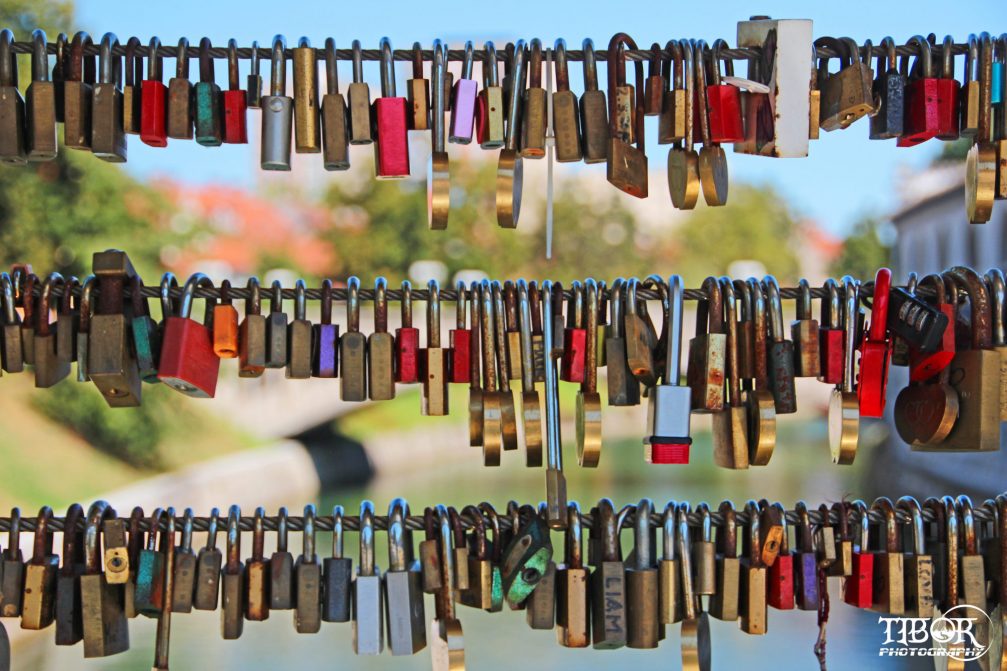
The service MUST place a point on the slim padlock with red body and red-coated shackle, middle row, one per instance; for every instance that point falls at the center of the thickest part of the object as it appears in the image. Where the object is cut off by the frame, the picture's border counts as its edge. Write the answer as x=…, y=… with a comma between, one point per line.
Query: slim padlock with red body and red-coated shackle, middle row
x=876, y=352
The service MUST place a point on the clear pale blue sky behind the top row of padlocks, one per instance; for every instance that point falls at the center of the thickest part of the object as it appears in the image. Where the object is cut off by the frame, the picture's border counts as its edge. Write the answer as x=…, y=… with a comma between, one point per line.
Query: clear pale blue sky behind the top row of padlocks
x=846, y=175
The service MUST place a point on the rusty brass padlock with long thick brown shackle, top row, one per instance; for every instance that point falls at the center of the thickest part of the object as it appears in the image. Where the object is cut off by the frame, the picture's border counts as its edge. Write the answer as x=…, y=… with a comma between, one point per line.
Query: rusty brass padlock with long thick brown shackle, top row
x=627, y=164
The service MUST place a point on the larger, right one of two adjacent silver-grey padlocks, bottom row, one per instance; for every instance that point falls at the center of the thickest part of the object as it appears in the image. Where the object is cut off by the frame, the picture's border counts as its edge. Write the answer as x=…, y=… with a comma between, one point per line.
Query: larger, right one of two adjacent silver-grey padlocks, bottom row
x=406, y=621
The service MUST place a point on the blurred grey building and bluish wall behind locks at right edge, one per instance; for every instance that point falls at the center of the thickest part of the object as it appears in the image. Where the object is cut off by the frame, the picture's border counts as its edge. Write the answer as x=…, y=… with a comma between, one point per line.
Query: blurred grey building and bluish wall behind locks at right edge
x=933, y=233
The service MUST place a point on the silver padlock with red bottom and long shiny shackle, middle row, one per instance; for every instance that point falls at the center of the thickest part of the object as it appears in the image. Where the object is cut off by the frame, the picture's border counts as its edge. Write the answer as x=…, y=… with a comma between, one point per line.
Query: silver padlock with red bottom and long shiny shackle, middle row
x=670, y=404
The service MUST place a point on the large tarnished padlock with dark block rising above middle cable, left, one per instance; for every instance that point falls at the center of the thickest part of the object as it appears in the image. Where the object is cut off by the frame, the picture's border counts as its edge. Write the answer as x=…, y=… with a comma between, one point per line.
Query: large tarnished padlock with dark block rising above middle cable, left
x=112, y=365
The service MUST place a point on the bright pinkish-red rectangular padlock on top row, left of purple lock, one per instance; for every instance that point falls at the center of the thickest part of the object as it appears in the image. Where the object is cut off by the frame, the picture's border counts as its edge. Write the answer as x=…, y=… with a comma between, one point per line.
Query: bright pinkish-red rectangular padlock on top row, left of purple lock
x=392, y=121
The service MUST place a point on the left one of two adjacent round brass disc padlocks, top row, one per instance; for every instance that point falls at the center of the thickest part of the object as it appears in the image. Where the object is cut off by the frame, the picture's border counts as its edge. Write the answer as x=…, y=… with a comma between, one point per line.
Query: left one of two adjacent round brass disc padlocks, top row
x=683, y=162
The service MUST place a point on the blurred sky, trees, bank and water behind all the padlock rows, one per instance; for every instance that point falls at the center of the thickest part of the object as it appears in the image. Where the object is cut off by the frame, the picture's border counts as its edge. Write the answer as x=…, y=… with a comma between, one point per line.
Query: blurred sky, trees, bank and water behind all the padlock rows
x=850, y=208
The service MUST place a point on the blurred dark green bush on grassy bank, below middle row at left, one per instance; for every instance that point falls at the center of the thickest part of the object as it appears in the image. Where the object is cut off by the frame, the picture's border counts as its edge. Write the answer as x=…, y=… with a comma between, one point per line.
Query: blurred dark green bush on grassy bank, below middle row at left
x=130, y=435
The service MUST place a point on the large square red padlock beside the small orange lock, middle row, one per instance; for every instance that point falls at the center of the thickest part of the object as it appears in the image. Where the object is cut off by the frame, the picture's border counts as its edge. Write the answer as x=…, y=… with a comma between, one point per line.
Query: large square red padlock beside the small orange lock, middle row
x=189, y=364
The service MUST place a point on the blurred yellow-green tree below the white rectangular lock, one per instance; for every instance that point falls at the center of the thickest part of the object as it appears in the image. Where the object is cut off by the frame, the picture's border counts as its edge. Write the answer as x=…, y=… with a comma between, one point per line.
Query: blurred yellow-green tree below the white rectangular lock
x=756, y=225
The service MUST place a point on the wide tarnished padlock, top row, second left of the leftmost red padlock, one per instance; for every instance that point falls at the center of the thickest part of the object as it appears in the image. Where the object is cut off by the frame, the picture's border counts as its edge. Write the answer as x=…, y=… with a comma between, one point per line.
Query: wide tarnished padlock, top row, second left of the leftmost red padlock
x=108, y=139
